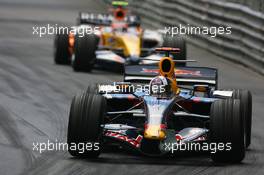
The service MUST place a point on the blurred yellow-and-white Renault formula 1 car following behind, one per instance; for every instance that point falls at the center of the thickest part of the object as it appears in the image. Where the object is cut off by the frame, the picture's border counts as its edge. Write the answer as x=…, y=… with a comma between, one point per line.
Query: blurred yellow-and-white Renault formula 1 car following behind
x=118, y=39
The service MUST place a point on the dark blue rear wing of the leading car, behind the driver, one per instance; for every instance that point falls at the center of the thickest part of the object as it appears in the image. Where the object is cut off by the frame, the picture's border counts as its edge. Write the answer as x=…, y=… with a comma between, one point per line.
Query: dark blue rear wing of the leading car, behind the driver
x=186, y=76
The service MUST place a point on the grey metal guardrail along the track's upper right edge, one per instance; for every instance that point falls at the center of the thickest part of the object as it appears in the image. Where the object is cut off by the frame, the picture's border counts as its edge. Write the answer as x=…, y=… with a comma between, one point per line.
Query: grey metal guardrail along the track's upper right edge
x=246, y=43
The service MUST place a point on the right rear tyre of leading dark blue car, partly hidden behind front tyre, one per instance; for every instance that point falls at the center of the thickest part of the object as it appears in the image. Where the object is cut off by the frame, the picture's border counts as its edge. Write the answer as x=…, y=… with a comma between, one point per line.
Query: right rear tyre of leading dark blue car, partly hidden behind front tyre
x=245, y=98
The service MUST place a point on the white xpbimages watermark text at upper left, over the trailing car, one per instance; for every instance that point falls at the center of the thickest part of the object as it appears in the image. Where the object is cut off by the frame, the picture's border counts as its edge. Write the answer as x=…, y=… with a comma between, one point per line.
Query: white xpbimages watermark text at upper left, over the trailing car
x=49, y=29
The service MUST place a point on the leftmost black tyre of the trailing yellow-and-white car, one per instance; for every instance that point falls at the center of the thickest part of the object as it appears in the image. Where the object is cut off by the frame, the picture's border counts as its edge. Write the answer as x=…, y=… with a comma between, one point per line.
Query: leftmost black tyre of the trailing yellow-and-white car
x=61, y=45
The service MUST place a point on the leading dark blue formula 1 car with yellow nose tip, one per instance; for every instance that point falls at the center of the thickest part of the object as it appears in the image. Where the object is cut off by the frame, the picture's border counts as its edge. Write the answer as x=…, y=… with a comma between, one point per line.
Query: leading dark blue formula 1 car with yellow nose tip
x=181, y=107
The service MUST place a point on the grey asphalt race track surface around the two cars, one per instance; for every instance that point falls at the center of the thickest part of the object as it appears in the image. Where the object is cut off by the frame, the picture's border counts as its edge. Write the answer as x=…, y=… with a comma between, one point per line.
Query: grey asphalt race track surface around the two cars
x=35, y=95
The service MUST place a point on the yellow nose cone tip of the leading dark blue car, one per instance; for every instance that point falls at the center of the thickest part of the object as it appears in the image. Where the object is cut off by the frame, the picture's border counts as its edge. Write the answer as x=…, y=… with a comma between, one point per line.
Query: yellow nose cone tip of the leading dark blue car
x=154, y=132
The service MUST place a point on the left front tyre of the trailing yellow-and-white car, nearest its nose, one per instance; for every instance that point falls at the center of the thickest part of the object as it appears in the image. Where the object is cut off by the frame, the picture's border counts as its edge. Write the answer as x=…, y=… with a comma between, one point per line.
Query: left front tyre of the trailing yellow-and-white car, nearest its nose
x=84, y=49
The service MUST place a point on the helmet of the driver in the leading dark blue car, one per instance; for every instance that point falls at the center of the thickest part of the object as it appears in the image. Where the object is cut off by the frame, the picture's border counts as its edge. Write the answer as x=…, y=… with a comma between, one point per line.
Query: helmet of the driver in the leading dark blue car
x=160, y=86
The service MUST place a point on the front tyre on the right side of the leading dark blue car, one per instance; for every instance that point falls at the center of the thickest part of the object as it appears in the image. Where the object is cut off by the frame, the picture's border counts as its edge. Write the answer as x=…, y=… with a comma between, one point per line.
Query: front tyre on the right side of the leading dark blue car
x=227, y=127
